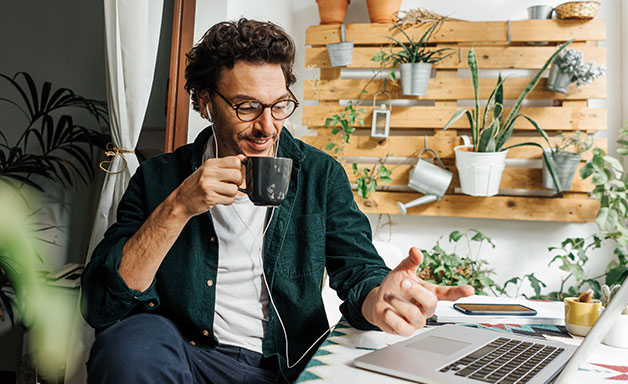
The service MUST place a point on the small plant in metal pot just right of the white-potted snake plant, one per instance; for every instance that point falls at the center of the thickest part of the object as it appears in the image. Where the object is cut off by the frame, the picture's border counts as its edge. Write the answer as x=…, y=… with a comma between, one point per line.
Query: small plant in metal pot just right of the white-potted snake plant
x=566, y=156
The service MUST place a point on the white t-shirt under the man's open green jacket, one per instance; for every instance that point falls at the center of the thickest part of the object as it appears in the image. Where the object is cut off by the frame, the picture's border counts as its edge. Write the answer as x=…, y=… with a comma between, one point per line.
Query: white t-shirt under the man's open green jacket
x=241, y=306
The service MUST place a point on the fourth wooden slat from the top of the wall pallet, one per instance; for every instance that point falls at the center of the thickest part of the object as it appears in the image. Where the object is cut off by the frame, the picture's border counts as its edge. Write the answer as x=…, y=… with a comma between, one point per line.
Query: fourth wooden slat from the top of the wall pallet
x=548, y=118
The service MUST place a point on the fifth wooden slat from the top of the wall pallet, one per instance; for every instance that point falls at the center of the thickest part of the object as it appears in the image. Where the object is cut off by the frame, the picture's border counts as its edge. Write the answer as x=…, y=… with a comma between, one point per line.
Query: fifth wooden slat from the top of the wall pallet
x=409, y=146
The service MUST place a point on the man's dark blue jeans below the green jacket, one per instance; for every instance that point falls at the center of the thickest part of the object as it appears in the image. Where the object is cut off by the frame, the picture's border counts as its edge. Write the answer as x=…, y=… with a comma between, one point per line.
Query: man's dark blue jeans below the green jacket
x=150, y=349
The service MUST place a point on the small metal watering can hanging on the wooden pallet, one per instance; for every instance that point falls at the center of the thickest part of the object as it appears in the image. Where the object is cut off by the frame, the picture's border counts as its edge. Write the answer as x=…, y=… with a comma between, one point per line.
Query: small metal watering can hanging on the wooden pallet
x=429, y=179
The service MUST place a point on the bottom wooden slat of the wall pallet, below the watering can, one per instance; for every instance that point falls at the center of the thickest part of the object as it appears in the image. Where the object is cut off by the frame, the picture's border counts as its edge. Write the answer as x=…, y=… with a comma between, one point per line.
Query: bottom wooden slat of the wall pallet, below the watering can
x=495, y=207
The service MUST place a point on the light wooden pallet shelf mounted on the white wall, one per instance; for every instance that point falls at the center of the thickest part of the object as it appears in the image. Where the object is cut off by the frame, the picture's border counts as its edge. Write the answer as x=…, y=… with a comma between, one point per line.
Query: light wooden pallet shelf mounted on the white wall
x=499, y=45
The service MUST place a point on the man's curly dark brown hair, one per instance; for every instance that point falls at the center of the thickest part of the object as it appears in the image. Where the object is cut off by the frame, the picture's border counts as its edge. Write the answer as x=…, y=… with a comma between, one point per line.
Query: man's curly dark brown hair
x=230, y=41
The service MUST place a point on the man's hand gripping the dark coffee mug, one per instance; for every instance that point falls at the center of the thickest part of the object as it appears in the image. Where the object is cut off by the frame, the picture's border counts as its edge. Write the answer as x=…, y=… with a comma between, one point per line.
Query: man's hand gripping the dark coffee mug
x=215, y=182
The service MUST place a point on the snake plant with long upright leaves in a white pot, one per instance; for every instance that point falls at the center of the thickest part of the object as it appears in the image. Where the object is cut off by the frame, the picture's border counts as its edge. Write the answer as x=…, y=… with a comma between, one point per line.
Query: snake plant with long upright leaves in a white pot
x=481, y=161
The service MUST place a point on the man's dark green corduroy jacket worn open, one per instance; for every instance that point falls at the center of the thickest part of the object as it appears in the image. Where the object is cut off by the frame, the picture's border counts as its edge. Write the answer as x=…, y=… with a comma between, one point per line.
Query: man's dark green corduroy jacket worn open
x=317, y=226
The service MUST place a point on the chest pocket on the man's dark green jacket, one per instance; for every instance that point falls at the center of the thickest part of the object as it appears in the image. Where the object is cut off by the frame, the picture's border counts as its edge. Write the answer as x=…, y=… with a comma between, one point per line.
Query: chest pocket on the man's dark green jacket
x=303, y=251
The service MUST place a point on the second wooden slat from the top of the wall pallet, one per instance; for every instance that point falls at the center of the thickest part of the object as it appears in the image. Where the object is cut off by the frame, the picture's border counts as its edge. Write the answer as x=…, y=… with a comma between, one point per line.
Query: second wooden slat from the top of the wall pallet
x=520, y=57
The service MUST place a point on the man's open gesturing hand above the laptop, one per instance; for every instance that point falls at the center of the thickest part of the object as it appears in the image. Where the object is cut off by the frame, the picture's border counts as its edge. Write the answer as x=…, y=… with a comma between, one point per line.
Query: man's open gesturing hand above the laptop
x=404, y=302
